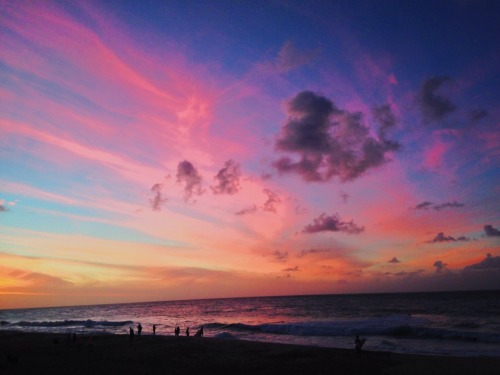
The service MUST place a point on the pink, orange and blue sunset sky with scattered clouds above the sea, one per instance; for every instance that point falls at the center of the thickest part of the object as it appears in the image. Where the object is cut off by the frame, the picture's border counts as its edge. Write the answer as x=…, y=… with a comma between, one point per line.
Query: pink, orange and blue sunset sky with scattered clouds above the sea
x=160, y=150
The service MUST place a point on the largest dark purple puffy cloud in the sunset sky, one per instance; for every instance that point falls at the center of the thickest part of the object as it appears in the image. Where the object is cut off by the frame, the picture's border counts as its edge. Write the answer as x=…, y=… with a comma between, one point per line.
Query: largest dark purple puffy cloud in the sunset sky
x=331, y=142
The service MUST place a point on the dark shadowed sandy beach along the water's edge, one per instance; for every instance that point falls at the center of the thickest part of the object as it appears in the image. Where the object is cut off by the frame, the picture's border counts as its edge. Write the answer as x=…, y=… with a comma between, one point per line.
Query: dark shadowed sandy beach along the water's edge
x=29, y=353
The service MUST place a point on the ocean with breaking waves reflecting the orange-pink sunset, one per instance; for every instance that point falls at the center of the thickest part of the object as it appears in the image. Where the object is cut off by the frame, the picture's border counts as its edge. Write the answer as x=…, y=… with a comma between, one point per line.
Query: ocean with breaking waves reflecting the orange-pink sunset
x=446, y=323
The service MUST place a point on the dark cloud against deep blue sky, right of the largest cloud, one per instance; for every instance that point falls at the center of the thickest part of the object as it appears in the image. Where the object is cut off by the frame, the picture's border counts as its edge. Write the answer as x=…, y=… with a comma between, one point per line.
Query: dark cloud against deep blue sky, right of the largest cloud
x=434, y=106
